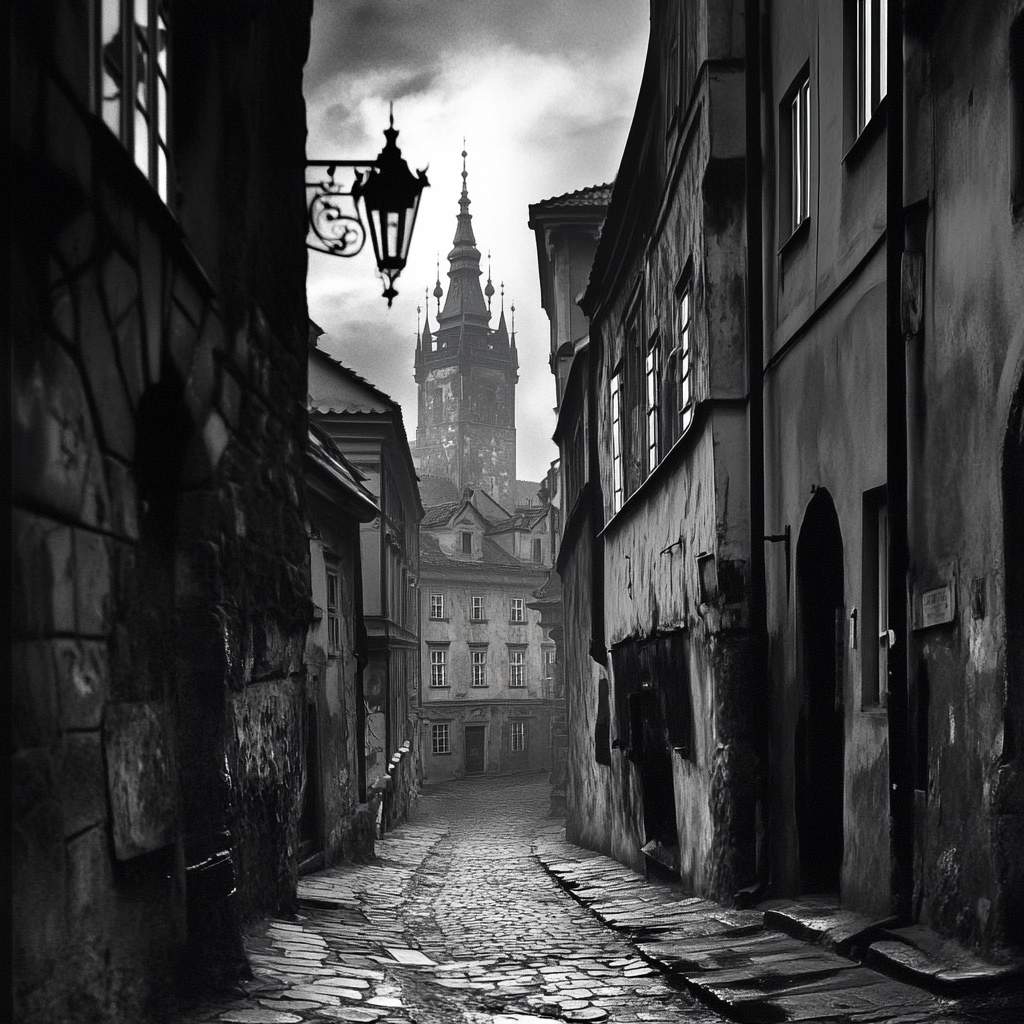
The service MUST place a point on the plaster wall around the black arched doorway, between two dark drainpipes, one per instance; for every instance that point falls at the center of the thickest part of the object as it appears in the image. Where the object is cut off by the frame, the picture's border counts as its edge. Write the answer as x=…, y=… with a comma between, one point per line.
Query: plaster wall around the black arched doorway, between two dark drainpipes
x=825, y=429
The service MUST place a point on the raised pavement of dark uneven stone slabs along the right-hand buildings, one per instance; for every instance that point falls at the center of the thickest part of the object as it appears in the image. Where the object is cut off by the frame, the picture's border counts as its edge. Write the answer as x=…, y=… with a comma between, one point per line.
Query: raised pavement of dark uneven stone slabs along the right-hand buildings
x=781, y=962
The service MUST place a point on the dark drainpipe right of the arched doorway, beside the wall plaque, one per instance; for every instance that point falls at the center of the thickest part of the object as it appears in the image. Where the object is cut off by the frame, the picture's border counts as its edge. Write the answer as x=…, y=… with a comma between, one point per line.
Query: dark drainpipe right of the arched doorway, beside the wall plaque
x=901, y=788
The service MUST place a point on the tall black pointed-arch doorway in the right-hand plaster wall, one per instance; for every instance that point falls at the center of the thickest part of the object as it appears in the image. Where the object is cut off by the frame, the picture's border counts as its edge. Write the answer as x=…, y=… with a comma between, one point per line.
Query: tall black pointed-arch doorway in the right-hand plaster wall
x=819, y=776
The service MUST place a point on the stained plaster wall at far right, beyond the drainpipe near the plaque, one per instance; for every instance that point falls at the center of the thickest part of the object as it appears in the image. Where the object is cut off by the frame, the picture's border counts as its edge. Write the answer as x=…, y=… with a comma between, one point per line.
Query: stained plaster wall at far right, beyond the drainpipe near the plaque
x=964, y=371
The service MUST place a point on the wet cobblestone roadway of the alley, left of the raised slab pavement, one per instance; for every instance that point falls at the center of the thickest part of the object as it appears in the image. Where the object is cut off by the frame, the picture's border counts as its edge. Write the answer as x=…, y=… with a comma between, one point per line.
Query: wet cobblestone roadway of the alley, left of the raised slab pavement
x=456, y=923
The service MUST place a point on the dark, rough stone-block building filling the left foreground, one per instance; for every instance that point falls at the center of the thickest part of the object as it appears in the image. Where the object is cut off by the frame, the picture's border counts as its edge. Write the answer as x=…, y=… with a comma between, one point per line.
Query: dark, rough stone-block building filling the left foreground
x=158, y=356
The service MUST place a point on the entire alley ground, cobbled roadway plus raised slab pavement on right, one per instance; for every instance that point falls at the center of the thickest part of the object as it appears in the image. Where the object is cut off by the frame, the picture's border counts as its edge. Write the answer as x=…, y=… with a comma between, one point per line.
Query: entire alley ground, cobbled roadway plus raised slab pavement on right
x=458, y=922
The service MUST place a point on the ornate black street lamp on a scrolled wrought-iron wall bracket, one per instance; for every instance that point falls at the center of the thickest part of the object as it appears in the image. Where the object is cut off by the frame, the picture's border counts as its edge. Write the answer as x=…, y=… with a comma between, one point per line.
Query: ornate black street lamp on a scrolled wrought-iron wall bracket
x=392, y=195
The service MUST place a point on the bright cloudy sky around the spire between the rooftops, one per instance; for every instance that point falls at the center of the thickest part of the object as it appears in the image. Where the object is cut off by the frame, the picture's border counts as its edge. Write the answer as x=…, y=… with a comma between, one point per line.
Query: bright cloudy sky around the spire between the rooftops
x=543, y=92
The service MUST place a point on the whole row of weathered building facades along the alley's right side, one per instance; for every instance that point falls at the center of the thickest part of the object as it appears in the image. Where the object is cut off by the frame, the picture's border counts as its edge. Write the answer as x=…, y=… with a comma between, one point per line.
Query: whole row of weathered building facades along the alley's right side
x=832, y=580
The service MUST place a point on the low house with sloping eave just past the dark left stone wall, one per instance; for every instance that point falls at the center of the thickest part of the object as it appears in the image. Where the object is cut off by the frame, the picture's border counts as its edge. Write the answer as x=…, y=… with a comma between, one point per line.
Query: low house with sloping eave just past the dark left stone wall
x=337, y=821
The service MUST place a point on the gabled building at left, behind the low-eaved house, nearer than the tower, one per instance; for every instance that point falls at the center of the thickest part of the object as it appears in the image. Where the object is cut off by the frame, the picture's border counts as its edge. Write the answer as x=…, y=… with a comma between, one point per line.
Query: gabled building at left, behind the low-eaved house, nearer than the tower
x=367, y=426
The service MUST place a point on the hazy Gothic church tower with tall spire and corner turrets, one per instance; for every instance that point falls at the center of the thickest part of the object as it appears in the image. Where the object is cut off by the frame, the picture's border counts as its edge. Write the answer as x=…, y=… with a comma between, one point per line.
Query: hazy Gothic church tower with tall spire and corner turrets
x=466, y=374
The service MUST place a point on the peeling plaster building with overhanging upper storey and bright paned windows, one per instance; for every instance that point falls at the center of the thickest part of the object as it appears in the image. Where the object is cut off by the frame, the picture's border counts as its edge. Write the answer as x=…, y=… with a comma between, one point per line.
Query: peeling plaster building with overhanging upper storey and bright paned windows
x=672, y=774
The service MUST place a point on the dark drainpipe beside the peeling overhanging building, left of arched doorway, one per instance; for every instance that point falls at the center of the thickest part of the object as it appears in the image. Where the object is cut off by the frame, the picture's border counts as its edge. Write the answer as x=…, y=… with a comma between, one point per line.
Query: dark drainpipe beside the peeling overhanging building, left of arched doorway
x=757, y=604
